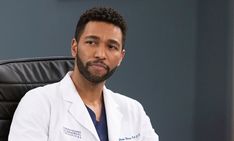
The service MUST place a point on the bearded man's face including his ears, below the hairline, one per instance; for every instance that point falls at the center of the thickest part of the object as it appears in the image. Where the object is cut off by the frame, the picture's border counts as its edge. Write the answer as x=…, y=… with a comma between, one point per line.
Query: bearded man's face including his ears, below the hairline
x=99, y=51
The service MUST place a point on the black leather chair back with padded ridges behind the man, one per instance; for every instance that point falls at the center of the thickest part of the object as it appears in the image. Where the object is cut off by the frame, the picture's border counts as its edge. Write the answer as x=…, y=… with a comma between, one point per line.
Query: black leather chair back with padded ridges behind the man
x=19, y=76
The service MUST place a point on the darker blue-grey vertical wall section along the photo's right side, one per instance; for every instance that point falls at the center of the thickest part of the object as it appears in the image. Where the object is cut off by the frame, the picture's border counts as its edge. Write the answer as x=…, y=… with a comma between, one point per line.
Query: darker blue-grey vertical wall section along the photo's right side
x=214, y=53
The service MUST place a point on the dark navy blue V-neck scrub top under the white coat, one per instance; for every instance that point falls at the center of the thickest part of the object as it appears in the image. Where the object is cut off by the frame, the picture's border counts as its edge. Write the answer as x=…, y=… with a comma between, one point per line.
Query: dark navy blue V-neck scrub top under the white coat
x=101, y=126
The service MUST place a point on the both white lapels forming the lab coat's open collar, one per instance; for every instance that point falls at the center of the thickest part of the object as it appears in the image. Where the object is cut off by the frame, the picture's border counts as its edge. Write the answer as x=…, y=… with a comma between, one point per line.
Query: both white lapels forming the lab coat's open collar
x=81, y=115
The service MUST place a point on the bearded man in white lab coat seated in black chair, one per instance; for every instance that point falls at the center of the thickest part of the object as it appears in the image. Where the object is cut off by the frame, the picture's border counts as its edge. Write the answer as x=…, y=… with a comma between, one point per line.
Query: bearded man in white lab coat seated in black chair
x=80, y=107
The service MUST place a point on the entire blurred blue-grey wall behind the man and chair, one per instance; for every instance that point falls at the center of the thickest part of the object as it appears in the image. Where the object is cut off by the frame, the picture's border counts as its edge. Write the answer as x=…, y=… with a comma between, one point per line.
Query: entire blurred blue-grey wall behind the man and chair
x=178, y=60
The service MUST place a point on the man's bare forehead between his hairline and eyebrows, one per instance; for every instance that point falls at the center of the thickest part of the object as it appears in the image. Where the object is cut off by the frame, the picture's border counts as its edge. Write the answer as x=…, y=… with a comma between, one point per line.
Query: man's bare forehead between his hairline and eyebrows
x=102, y=30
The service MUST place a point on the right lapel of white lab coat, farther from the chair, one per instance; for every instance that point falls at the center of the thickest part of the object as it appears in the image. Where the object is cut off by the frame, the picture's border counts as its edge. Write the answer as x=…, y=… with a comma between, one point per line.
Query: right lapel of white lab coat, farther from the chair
x=113, y=115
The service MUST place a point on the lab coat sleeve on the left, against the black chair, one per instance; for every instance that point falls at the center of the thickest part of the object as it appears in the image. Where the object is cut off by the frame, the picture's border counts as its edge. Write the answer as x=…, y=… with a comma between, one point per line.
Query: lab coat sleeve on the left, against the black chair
x=31, y=119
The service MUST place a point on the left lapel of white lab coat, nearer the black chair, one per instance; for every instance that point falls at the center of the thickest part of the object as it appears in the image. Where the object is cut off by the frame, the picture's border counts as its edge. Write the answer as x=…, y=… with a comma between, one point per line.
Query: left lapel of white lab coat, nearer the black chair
x=77, y=108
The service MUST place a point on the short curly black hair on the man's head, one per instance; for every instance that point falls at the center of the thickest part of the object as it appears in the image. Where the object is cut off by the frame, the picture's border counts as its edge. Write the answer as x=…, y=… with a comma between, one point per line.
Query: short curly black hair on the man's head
x=103, y=14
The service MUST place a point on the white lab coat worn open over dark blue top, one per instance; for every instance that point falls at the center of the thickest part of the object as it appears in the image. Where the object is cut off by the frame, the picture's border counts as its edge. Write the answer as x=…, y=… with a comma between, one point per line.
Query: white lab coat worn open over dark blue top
x=56, y=112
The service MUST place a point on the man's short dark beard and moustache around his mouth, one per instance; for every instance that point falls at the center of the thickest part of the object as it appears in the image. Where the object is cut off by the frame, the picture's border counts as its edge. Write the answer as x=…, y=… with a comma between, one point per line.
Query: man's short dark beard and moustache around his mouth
x=94, y=78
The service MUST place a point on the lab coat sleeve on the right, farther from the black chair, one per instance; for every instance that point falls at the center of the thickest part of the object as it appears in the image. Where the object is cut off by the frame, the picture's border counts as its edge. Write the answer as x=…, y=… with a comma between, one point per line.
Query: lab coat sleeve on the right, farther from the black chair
x=147, y=131
